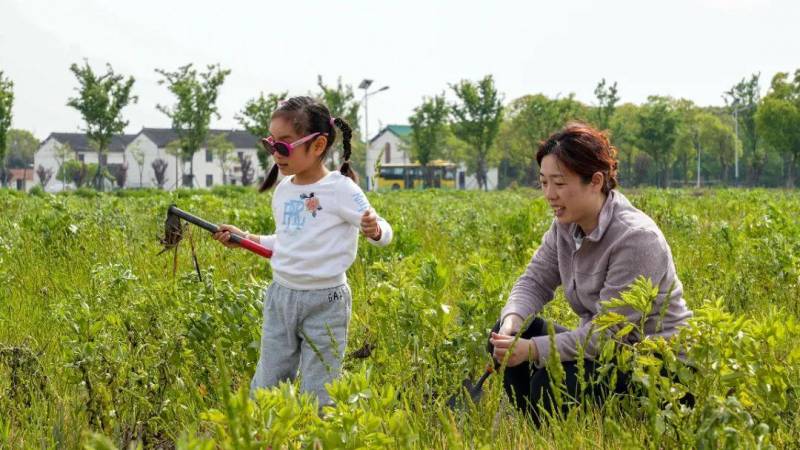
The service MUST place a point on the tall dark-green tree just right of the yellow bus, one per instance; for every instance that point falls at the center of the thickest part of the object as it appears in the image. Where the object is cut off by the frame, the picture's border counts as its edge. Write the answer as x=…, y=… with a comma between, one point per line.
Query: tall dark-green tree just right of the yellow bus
x=476, y=120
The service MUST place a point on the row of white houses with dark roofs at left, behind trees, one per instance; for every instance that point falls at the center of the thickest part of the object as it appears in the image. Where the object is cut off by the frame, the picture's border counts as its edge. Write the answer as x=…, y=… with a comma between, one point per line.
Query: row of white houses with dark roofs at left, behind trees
x=152, y=143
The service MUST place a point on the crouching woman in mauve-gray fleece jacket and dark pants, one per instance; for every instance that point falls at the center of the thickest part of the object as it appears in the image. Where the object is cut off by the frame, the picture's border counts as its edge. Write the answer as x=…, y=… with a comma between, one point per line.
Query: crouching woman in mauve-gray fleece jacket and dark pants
x=596, y=247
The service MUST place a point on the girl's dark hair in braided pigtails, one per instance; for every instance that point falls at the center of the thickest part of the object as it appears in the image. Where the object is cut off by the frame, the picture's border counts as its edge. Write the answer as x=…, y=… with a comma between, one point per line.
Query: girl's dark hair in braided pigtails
x=309, y=116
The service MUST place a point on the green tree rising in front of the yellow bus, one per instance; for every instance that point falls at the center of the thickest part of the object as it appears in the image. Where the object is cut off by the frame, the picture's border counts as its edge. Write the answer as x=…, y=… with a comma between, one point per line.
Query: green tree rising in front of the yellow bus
x=428, y=128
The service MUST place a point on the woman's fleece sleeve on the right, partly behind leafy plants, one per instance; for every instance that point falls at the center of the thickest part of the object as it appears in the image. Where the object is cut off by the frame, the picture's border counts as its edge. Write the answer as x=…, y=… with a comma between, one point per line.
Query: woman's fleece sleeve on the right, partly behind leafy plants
x=640, y=253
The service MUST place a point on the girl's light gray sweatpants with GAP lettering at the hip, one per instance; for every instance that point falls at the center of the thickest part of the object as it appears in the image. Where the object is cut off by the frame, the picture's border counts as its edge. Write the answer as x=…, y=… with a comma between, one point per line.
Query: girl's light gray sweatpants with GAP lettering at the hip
x=305, y=330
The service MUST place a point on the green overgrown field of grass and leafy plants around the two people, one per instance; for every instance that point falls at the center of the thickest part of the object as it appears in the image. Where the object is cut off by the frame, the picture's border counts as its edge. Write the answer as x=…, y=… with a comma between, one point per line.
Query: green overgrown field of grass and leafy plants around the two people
x=101, y=346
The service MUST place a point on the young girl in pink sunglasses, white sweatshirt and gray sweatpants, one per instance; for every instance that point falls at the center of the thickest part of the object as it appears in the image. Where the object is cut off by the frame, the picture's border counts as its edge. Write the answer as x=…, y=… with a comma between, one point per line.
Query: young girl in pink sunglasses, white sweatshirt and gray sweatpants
x=318, y=215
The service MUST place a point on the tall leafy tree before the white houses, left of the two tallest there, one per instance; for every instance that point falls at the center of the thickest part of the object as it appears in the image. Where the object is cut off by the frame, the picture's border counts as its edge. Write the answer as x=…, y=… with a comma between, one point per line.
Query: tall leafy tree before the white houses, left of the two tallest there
x=100, y=101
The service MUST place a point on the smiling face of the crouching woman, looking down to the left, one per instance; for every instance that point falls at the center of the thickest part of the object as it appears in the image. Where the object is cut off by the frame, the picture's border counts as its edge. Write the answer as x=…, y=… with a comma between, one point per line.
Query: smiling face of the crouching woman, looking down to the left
x=572, y=200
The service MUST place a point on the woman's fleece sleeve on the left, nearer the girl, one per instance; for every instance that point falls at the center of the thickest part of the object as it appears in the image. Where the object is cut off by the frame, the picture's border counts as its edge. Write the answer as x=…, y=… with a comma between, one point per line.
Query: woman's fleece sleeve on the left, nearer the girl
x=536, y=287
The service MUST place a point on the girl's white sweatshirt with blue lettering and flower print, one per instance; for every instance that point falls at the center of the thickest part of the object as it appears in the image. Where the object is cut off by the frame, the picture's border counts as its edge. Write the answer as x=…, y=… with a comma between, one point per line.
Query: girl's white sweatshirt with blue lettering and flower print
x=316, y=231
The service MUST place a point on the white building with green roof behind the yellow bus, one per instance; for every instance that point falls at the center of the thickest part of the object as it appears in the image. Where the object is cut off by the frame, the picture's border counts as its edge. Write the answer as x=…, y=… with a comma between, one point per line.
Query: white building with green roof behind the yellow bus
x=391, y=146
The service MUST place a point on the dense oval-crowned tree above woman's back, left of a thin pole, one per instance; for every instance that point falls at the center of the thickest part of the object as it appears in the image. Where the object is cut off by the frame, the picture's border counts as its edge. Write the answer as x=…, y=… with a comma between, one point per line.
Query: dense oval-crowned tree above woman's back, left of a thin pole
x=658, y=126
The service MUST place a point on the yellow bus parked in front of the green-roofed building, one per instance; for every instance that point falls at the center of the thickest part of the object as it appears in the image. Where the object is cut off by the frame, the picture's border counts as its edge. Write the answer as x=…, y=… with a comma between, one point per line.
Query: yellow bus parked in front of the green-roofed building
x=409, y=176
